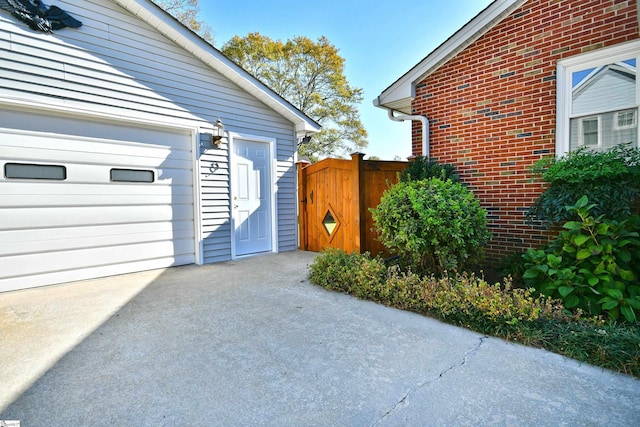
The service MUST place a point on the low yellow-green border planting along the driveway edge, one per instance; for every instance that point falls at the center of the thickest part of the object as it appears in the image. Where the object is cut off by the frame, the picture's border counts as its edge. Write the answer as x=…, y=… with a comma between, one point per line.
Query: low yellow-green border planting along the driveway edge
x=497, y=309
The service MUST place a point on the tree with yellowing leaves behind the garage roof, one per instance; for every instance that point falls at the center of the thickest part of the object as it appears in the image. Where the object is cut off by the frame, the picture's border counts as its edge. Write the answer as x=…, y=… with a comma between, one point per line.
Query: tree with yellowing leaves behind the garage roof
x=311, y=77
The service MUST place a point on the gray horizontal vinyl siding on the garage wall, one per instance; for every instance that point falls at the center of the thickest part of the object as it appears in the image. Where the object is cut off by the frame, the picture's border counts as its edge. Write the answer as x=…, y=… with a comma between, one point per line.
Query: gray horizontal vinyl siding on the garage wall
x=116, y=64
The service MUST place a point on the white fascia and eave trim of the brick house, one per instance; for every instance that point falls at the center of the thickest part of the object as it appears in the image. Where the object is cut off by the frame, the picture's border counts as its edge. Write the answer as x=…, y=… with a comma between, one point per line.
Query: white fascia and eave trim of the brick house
x=402, y=91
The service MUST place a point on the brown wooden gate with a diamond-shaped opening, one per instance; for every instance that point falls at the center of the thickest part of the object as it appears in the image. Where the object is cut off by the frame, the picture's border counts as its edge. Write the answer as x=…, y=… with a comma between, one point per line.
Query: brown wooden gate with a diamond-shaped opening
x=335, y=196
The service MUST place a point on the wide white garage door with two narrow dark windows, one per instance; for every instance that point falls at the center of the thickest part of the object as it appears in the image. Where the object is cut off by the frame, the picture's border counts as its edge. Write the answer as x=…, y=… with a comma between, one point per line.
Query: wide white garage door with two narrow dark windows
x=85, y=199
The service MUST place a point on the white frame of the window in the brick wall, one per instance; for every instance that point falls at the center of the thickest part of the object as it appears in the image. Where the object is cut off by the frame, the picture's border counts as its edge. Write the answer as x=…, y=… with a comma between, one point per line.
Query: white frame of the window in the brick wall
x=564, y=72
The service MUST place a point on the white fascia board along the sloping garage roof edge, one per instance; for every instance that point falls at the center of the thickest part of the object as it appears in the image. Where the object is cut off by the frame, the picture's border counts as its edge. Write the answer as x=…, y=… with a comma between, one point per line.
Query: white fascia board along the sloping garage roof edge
x=192, y=43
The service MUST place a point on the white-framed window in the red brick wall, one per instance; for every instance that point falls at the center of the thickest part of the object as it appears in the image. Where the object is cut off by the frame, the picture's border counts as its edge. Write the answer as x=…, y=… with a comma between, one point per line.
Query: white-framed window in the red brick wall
x=598, y=97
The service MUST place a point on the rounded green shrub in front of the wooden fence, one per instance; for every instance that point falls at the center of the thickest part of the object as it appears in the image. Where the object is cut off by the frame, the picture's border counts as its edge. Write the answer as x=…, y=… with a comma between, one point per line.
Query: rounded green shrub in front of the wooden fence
x=435, y=225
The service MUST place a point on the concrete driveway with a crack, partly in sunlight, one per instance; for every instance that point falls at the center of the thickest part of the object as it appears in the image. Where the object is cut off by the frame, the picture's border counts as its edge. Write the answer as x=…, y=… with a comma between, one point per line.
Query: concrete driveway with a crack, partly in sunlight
x=251, y=342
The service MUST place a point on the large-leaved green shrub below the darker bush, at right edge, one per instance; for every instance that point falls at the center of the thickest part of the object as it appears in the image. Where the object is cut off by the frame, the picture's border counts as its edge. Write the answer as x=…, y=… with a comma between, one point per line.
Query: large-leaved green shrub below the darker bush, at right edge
x=594, y=264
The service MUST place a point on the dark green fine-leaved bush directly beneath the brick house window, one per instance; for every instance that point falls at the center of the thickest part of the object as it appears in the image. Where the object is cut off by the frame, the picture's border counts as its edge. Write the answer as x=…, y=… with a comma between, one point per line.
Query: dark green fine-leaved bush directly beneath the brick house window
x=611, y=179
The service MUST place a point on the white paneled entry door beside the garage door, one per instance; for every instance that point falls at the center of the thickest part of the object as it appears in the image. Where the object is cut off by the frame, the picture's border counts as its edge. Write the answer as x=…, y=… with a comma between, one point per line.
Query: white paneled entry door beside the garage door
x=252, y=198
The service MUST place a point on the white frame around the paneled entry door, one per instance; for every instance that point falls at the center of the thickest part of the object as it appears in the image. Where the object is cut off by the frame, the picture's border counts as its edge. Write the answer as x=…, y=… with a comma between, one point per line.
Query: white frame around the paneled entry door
x=232, y=138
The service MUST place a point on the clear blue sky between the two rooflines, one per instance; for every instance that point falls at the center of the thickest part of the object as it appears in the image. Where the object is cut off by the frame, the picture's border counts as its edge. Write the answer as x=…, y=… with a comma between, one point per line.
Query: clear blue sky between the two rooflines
x=380, y=41
